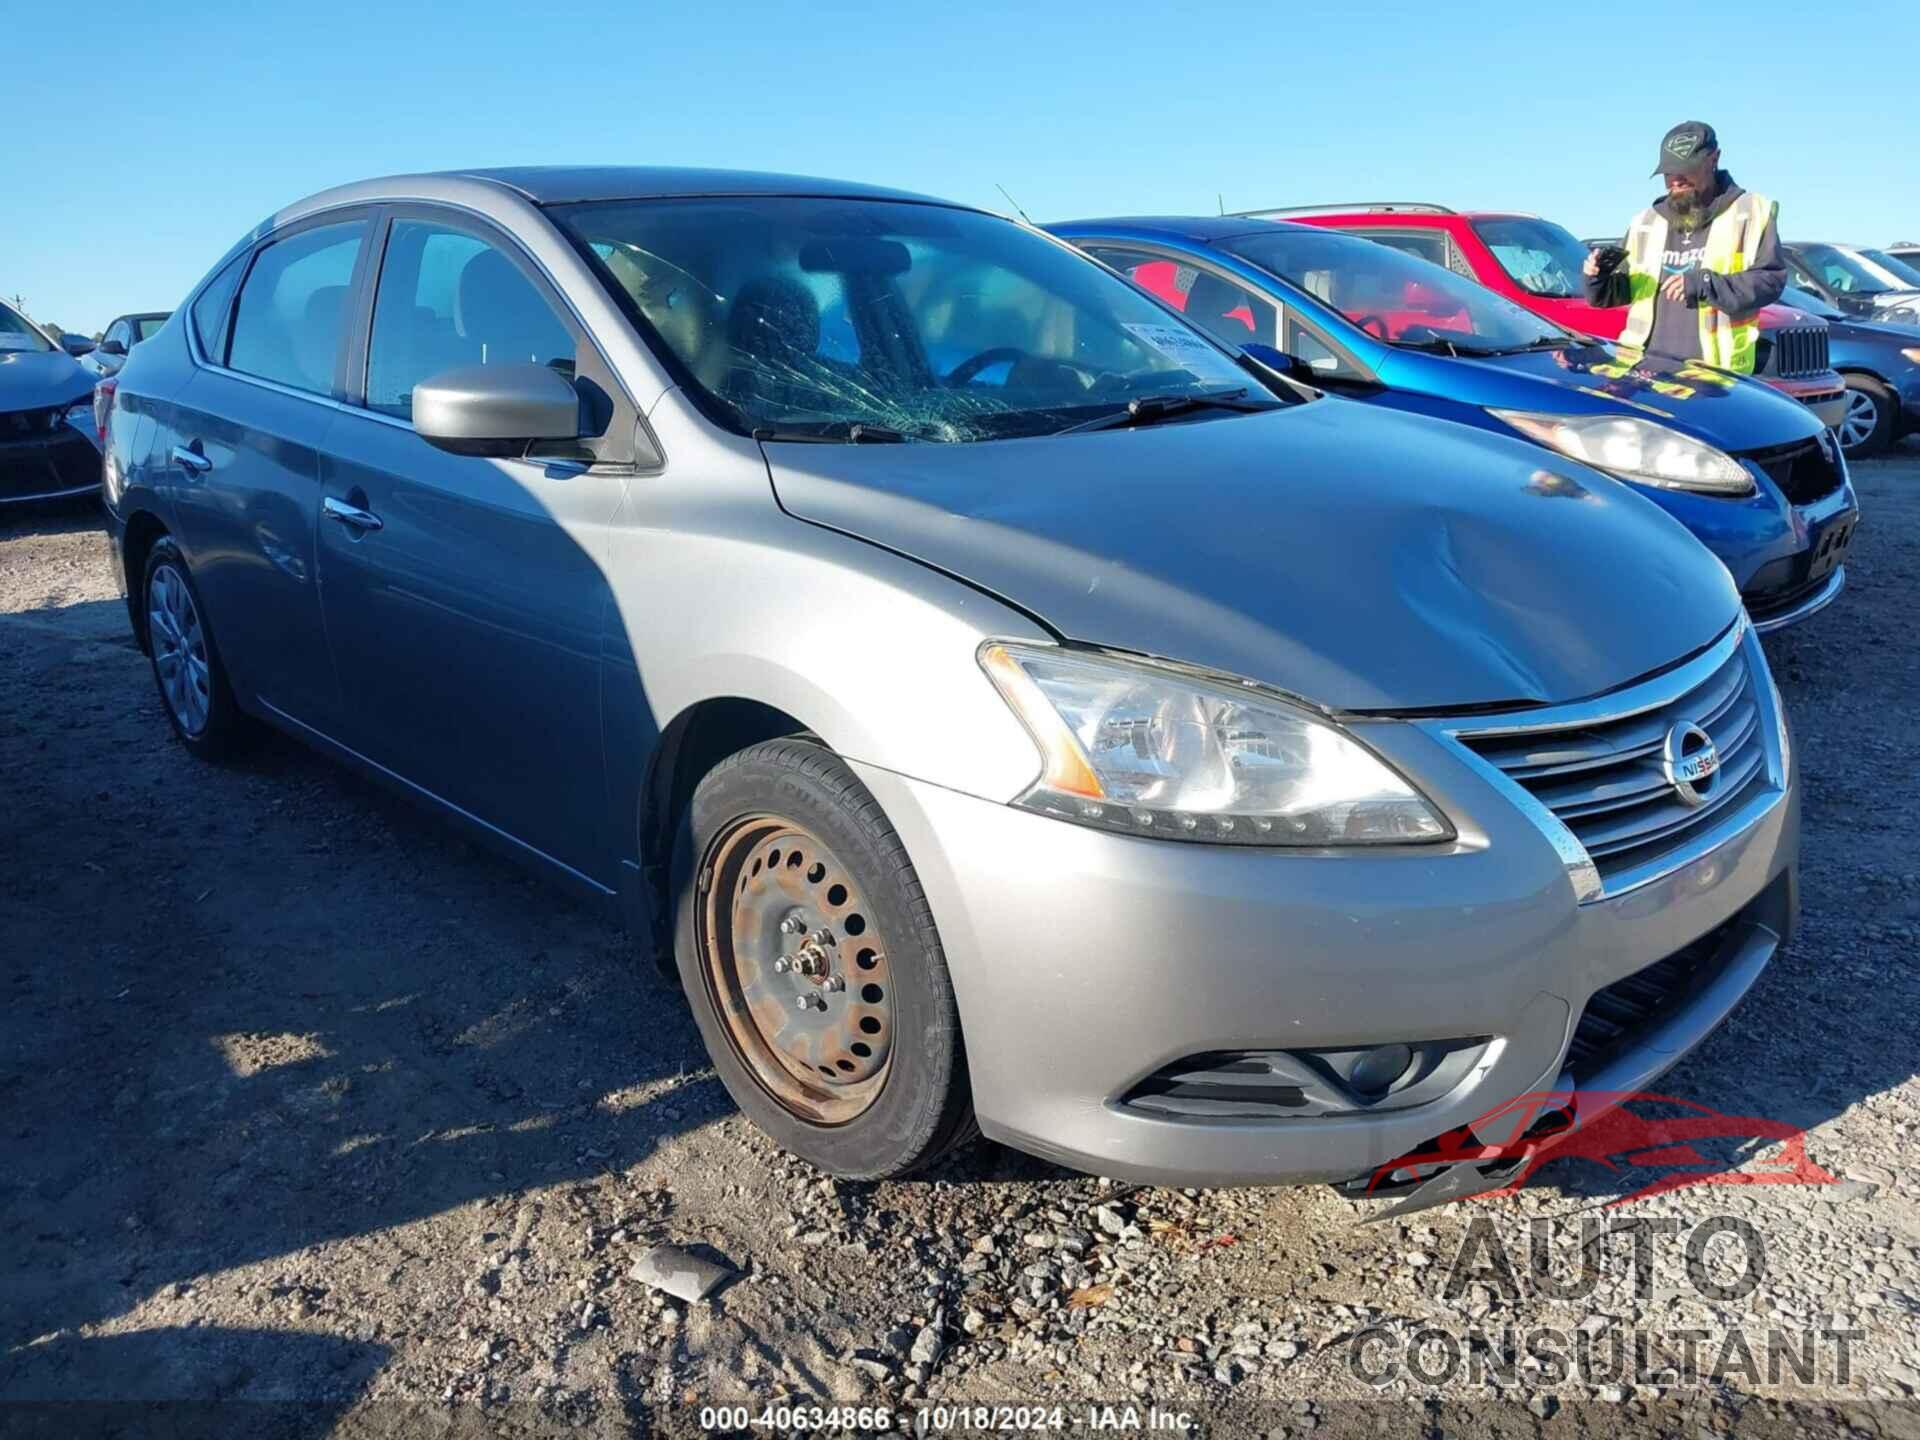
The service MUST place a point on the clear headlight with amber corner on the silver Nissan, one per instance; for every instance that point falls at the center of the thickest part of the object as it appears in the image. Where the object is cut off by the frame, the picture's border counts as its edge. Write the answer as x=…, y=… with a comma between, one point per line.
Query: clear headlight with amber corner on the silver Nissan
x=1149, y=752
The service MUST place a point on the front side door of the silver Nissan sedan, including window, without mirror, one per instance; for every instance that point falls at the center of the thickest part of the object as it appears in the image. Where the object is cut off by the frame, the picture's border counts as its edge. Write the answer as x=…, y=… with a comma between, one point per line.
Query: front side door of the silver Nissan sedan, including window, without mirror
x=466, y=596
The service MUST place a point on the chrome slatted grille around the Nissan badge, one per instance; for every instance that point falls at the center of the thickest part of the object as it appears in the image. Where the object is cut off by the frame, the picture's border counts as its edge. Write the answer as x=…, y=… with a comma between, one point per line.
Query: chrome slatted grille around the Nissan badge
x=1600, y=777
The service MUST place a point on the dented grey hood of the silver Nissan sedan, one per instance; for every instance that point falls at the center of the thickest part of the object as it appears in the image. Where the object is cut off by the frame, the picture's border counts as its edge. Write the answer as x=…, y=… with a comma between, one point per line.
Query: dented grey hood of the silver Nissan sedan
x=1353, y=556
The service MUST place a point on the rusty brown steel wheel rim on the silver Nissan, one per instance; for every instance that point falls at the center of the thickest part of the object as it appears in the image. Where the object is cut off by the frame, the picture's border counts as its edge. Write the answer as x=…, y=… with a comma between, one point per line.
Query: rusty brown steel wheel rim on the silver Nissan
x=798, y=969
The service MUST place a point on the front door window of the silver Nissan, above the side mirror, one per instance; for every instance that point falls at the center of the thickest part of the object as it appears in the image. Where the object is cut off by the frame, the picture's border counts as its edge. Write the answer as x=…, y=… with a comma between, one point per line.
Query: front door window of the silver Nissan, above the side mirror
x=450, y=299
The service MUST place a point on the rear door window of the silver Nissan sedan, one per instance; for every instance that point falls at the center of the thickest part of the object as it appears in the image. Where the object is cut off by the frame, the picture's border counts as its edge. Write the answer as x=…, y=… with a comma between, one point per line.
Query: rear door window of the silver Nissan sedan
x=295, y=308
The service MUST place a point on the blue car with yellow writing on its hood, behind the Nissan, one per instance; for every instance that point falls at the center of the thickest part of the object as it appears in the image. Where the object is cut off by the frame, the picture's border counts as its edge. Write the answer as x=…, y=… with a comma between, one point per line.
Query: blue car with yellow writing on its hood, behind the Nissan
x=1754, y=475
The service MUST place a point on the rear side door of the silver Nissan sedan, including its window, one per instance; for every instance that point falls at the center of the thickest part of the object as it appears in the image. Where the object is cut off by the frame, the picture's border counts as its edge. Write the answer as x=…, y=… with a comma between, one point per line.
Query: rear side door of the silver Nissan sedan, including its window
x=241, y=450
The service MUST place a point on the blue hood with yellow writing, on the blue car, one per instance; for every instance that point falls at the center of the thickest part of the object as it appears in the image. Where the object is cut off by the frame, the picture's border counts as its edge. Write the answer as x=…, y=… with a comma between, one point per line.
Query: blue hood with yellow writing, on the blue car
x=1596, y=379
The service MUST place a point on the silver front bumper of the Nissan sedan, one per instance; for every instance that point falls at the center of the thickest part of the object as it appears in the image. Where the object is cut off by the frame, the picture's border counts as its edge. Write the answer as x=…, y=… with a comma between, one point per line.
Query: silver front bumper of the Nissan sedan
x=1086, y=963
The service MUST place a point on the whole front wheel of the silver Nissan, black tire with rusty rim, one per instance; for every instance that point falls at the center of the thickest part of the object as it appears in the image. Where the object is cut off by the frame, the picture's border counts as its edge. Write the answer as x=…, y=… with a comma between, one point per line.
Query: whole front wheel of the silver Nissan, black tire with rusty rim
x=813, y=967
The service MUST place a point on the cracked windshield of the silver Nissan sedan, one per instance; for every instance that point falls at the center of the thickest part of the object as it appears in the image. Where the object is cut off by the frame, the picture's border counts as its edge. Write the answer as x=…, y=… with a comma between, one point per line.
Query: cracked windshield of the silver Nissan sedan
x=844, y=320
